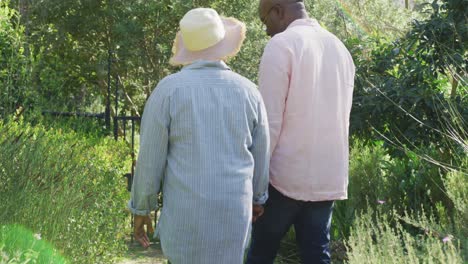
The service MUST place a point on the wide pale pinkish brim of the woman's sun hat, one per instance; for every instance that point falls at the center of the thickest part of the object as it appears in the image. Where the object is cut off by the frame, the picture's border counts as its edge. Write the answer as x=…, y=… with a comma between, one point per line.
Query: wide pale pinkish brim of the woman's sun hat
x=226, y=48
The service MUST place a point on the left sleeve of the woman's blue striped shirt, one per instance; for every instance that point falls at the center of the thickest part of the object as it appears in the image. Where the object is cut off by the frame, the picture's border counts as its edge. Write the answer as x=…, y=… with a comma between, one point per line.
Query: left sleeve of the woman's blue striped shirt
x=151, y=162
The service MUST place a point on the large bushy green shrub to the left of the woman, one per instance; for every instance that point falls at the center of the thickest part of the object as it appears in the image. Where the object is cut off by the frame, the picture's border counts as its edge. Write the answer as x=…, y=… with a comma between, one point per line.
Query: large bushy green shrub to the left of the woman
x=66, y=187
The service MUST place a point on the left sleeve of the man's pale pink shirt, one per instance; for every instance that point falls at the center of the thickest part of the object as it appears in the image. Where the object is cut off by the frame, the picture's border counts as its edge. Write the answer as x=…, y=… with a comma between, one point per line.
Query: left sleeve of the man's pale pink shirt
x=274, y=77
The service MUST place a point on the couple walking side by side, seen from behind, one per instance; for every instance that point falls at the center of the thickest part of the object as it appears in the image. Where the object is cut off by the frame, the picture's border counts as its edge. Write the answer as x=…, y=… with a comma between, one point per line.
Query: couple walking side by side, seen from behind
x=227, y=154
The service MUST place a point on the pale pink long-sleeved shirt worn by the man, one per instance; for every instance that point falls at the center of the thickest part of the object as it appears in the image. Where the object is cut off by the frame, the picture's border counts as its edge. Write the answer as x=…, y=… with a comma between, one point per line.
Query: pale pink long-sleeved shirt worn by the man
x=306, y=80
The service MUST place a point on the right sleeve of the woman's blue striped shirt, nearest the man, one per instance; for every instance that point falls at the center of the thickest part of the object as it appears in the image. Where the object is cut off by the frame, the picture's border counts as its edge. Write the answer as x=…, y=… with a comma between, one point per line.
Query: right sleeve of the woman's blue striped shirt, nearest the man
x=261, y=152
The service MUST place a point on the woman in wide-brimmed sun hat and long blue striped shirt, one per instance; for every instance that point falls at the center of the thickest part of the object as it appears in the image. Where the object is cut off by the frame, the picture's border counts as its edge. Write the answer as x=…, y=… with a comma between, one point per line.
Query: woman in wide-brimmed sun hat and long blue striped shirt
x=204, y=136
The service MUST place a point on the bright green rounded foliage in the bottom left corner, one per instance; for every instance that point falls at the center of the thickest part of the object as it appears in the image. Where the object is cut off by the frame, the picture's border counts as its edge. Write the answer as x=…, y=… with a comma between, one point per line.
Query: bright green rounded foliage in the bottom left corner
x=19, y=245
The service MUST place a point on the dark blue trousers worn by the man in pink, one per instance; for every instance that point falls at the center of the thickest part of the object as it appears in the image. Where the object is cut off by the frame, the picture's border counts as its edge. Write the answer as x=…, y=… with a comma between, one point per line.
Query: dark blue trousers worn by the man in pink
x=311, y=222
